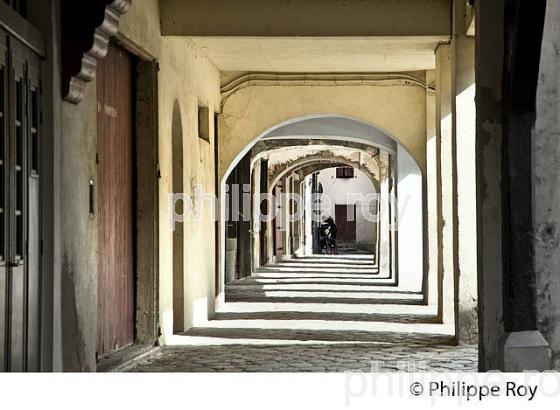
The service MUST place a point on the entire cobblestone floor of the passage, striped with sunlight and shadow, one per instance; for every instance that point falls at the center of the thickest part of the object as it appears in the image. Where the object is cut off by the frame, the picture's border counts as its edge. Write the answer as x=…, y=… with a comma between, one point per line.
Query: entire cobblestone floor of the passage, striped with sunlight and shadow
x=319, y=314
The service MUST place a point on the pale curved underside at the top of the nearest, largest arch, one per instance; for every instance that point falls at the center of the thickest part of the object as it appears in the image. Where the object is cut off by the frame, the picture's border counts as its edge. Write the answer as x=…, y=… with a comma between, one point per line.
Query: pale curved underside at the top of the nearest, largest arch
x=326, y=126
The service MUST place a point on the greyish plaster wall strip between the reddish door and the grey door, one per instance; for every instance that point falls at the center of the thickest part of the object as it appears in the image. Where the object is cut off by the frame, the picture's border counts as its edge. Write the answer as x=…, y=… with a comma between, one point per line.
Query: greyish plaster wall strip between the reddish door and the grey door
x=79, y=233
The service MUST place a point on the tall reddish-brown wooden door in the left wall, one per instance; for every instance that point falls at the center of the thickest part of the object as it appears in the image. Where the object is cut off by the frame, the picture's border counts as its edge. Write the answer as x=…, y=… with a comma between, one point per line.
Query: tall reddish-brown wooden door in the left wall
x=115, y=292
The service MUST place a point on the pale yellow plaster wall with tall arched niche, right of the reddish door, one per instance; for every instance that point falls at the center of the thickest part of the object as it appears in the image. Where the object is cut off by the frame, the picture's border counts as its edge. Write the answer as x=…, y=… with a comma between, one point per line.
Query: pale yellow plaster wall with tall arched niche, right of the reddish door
x=190, y=79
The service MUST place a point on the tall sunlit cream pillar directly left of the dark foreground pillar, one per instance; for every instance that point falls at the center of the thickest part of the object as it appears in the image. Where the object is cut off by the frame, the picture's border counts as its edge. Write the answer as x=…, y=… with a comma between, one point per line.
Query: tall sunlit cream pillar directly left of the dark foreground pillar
x=463, y=49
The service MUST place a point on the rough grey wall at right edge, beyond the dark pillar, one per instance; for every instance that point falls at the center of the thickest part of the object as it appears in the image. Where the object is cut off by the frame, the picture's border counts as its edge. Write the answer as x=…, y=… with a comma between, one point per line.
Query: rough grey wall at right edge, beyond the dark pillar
x=547, y=176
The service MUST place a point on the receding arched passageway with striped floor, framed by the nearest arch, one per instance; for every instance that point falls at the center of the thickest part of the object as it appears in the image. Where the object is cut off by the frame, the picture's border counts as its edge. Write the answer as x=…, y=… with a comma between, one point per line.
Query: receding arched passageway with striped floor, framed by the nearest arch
x=272, y=259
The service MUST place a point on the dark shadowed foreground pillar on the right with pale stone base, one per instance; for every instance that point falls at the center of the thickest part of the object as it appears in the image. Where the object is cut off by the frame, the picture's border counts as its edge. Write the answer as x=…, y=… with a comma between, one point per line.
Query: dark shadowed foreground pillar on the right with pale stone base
x=505, y=120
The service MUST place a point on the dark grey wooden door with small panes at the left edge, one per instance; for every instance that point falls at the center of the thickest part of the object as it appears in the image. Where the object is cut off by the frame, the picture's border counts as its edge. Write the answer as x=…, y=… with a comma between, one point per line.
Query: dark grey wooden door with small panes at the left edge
x=20, y=242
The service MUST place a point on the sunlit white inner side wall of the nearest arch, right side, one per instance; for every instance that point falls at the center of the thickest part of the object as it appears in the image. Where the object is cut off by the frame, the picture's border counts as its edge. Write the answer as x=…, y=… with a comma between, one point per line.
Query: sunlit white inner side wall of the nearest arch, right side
x=410, y=222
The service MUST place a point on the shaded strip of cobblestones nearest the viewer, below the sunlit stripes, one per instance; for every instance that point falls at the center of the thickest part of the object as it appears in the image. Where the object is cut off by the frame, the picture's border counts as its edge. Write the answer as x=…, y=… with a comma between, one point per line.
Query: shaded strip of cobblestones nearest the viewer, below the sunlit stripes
x=315, y=358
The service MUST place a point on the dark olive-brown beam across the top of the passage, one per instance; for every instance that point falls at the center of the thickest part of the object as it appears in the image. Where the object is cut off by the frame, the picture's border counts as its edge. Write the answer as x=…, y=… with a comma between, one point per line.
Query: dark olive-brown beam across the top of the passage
x=305, y=17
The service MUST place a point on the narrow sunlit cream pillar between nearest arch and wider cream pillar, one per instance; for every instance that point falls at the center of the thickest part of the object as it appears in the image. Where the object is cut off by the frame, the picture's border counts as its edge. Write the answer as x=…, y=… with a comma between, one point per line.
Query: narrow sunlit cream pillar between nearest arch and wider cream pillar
x=447, y=165
